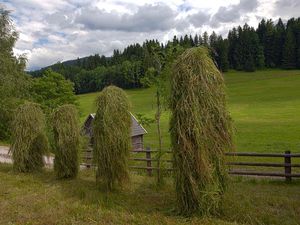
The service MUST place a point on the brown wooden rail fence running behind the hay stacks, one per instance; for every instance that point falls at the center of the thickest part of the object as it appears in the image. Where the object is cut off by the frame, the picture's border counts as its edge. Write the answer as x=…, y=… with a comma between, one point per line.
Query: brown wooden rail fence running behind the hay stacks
x=151, y=159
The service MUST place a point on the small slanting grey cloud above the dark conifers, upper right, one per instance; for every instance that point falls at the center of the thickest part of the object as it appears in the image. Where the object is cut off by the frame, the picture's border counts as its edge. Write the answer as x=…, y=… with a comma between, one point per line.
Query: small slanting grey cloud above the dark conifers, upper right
x=233, y=13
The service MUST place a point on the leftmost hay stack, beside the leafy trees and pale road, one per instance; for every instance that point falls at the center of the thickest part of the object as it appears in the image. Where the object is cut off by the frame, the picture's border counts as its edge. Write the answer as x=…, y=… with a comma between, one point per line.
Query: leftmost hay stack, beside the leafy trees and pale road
x=29, y=141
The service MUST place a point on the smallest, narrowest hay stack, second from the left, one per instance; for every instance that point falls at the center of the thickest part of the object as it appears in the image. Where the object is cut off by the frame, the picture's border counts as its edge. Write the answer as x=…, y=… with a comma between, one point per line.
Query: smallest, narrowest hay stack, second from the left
x=66, y=141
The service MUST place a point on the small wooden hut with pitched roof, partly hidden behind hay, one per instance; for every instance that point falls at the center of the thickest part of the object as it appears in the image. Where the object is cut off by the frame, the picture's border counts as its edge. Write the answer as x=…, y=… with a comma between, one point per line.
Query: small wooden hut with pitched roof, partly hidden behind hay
x=137, y=134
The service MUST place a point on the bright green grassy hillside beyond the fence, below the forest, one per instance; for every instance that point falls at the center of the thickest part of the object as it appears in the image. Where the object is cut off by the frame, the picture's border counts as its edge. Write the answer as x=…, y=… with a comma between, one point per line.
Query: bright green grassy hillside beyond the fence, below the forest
x=264, y=105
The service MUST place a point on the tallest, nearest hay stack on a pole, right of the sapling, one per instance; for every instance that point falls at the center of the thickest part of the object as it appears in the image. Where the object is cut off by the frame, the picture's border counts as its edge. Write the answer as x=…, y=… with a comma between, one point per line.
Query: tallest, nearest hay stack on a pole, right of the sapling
x=200, y=130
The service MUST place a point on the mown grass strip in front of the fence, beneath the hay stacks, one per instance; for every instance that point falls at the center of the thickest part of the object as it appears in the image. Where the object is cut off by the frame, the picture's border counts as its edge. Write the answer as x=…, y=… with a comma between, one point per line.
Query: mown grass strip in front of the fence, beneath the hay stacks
x=42, y=199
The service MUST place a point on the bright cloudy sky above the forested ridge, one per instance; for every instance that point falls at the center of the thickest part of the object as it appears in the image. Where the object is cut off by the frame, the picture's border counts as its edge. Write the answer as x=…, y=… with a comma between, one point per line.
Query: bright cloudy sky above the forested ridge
x=58, y=30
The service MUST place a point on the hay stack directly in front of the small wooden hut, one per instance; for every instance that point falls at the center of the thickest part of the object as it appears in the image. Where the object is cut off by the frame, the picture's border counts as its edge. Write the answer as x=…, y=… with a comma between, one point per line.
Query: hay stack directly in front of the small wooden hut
x=112, y=140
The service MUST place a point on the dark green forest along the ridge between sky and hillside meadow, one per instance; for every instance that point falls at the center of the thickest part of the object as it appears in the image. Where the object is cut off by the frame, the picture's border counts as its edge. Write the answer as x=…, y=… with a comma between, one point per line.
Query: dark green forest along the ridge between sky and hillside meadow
x=271, y=45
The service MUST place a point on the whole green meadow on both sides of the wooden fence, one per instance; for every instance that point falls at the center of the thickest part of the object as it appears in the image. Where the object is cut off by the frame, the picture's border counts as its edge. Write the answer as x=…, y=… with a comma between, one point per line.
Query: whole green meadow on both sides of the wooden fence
x=264, y=106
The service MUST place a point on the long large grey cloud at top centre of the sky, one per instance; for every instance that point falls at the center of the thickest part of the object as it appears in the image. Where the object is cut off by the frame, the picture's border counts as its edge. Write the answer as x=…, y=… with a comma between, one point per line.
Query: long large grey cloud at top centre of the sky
x=159, y=17
